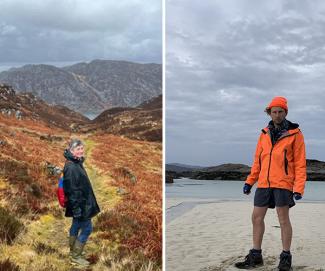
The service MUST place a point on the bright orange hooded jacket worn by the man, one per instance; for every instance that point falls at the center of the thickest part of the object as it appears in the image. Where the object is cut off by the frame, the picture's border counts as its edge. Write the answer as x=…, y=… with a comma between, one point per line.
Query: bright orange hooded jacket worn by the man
x=282, y=165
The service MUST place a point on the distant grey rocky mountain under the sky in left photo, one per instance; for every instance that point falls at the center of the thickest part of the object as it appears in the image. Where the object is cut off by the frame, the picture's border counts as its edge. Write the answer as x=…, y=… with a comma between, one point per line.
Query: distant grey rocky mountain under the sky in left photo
x=89, y=88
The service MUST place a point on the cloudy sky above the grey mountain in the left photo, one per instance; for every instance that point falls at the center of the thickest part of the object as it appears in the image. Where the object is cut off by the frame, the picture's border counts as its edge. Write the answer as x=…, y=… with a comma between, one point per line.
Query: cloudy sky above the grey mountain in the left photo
x=67, y=31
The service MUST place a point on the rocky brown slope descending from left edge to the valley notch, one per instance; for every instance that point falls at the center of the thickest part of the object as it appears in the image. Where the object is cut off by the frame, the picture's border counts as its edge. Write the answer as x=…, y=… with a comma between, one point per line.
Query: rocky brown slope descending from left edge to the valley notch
x=26, y=106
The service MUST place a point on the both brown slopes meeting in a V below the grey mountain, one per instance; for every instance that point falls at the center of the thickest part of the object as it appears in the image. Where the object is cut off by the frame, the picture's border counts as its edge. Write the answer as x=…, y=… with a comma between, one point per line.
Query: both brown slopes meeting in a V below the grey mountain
x=142, y=123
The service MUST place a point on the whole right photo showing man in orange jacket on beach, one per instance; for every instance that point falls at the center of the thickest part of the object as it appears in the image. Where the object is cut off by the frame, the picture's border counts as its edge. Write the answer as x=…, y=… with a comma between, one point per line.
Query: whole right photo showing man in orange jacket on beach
x=244, y=114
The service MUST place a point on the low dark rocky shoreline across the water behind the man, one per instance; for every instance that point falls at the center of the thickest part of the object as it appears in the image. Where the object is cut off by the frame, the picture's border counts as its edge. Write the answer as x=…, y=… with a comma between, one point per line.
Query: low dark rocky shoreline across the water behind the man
x=315, y=172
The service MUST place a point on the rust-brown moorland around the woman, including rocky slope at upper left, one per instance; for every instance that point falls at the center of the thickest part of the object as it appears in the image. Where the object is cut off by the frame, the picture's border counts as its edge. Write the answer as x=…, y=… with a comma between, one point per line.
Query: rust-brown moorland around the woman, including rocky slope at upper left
x=126, y=177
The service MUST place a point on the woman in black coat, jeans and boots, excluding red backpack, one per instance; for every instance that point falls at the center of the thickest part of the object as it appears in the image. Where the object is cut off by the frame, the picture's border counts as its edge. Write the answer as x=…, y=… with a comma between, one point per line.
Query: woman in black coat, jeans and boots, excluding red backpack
x=81, y=204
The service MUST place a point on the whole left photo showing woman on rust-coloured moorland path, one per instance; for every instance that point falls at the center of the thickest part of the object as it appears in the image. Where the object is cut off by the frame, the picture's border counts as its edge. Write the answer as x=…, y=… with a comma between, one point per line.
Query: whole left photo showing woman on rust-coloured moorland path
x=81, y=135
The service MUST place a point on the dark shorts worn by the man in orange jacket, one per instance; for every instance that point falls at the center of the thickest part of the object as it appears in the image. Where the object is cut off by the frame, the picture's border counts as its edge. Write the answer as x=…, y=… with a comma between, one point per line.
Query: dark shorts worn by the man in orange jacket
x=271, y=197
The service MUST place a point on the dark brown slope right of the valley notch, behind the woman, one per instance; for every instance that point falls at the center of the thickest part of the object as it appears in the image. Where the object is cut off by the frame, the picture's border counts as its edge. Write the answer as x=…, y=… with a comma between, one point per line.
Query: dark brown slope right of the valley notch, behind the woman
x=143, y=122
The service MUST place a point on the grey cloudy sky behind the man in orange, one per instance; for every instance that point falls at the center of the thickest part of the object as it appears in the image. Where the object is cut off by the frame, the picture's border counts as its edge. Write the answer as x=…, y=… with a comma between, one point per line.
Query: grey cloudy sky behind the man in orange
x=226, y=60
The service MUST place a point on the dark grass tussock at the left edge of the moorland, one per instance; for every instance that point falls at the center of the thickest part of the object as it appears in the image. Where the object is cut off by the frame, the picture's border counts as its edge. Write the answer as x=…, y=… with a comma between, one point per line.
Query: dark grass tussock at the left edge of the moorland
x=10, y=226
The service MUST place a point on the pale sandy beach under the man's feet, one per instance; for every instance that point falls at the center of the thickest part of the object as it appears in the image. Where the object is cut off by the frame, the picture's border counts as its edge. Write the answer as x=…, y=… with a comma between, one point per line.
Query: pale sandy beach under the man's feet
x=212, y=236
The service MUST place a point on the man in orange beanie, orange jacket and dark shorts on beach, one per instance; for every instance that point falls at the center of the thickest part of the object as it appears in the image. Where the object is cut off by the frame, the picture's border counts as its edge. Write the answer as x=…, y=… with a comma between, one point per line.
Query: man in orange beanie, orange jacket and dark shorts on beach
x=280, y=169
